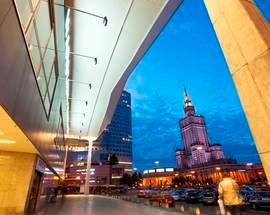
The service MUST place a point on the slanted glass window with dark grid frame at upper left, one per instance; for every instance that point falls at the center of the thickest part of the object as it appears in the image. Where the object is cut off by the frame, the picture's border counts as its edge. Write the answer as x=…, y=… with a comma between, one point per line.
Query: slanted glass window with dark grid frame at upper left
x=39, y=31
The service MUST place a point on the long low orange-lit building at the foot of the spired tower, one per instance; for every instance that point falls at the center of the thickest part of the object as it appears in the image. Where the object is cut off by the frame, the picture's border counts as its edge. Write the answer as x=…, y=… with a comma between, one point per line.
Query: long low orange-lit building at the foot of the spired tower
x=209, y=174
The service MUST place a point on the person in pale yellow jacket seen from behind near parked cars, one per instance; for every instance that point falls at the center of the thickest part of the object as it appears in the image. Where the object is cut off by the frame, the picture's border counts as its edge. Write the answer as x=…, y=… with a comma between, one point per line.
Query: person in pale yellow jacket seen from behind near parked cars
x=228, y=191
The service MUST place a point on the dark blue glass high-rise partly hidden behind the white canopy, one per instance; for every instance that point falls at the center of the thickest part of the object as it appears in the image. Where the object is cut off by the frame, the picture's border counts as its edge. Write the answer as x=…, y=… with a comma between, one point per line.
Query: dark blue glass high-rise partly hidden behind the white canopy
x=117, y=137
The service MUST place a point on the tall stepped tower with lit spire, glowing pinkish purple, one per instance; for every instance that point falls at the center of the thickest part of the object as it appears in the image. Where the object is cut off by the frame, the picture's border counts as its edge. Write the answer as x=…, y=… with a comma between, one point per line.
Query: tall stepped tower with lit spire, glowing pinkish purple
x=197, y=146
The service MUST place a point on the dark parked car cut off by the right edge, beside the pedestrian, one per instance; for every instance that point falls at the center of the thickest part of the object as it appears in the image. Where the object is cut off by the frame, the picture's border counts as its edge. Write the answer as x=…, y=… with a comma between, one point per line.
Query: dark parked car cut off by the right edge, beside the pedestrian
x=260, y=199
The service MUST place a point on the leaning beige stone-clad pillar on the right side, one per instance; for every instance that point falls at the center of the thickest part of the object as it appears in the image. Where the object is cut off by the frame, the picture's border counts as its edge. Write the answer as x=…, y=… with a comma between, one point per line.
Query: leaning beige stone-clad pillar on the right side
x=244, y=36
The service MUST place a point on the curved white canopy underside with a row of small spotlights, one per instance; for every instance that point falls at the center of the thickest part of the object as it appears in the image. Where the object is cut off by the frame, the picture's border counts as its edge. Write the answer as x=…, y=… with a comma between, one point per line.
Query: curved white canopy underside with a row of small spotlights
x=104, y=42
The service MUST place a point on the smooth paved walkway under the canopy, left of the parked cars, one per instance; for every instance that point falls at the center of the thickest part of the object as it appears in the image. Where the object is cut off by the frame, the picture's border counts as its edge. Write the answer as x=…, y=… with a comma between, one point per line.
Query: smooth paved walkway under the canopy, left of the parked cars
x=99, y=205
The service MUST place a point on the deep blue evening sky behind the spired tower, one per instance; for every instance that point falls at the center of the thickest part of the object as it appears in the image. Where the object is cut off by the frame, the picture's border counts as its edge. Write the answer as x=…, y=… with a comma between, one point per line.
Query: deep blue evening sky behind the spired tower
x=186, y=53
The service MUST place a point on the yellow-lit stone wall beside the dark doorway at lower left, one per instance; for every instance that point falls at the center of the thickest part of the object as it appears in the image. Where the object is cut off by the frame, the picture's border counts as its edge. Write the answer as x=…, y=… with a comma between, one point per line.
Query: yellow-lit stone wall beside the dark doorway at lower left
x=16, y=171
